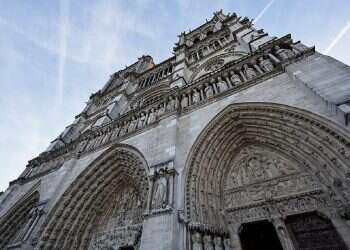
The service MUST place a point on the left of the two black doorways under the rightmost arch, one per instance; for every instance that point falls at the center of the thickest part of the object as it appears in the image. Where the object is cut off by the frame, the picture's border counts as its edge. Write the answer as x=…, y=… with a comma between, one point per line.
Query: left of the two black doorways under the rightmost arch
x=259, y=235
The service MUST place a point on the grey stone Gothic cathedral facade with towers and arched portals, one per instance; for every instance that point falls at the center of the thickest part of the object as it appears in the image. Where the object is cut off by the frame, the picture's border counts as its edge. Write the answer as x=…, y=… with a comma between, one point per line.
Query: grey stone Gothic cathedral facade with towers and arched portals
x=239, y=141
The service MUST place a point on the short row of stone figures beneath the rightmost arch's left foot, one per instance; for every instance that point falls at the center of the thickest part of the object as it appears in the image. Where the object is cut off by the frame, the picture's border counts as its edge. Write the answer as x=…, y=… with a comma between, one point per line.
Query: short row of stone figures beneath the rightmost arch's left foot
x=202, y=241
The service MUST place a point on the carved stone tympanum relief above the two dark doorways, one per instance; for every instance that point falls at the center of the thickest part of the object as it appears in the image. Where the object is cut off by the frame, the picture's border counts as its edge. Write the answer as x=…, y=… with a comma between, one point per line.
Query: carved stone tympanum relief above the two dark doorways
x=260, y=174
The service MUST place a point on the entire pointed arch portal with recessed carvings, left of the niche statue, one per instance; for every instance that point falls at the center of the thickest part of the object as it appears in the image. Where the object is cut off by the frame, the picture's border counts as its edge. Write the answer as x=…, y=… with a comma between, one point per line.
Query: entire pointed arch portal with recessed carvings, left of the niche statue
x=103, y=207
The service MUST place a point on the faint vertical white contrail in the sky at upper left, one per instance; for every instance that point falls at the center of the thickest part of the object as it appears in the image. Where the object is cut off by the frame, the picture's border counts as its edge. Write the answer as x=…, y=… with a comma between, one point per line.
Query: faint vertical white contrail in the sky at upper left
x=64, y=30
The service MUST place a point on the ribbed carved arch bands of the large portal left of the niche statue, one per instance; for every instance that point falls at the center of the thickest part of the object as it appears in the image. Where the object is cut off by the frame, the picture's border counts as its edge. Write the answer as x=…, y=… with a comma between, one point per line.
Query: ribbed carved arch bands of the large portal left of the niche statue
x=71, y=221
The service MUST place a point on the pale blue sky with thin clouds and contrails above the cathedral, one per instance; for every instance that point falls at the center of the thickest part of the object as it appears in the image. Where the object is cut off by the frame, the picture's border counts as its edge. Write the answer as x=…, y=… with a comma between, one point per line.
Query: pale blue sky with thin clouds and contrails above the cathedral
x=54, y=54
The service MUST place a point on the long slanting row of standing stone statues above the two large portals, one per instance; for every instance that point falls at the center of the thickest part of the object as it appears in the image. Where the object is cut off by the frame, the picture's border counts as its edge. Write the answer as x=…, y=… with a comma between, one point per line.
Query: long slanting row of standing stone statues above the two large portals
x=216, y=85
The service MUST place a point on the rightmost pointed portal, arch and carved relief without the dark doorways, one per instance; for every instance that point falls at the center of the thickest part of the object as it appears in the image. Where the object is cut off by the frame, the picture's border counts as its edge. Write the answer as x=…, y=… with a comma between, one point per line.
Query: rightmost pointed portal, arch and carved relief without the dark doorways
x=259, y=161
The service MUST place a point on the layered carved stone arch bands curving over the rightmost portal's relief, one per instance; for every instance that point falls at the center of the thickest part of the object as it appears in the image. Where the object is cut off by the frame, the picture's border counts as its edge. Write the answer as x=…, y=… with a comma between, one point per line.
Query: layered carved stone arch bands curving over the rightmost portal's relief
x=317, y=144
